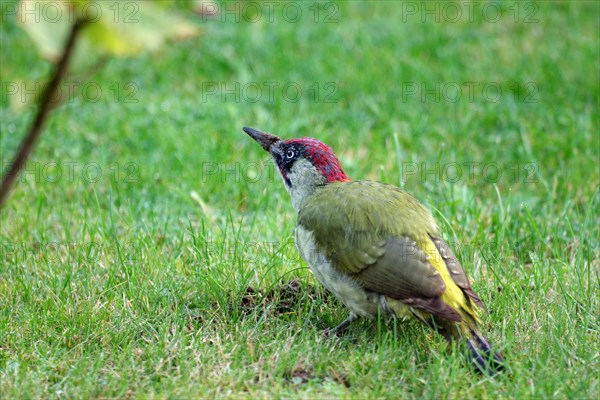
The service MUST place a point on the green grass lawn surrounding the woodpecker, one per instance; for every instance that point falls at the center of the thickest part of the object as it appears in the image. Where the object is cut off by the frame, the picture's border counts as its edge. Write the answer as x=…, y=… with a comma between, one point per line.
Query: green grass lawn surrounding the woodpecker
x=147, y=250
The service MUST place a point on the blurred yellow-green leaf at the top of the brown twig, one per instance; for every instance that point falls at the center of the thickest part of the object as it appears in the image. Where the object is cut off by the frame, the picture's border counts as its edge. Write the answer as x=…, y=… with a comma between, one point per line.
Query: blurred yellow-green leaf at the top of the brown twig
x=116, y=28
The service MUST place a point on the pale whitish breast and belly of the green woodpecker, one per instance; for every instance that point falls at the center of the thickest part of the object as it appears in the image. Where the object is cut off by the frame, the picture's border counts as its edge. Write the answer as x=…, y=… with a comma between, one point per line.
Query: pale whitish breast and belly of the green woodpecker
x=357, y=299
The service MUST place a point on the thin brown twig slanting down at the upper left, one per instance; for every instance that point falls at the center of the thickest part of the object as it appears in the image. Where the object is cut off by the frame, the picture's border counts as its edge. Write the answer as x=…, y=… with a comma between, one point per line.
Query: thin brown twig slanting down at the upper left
x=46, y=103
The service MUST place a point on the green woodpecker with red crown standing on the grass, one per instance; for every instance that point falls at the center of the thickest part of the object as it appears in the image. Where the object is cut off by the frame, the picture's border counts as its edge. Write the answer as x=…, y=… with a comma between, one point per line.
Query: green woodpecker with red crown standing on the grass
x=376, y=247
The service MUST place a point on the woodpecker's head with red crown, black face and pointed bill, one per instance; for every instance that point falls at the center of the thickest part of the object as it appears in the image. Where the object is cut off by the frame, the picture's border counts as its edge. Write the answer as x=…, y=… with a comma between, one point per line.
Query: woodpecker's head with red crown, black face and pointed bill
x=304, y=163
